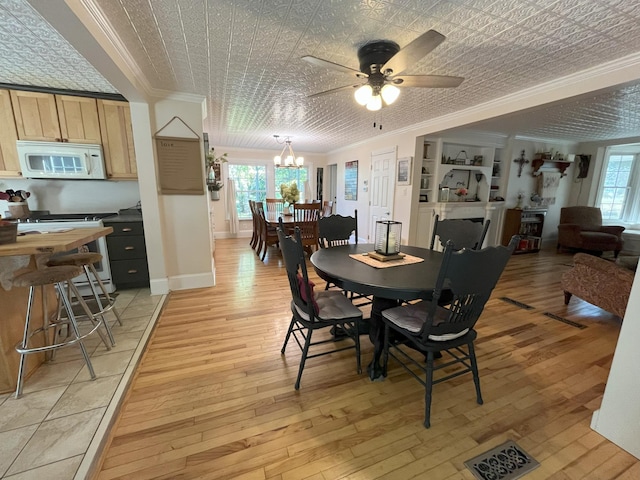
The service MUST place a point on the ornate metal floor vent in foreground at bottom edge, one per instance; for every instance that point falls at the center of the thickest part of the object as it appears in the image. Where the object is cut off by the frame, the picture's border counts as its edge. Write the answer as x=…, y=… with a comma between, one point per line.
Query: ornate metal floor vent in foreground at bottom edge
x=504, y=462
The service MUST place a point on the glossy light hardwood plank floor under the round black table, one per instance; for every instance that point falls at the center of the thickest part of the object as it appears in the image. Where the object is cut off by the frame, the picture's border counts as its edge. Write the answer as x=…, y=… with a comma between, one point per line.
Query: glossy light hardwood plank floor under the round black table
x=213, y=397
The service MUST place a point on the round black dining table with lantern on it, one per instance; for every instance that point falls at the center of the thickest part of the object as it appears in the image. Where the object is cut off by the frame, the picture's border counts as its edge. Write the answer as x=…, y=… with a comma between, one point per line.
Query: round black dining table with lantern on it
x=388, y=286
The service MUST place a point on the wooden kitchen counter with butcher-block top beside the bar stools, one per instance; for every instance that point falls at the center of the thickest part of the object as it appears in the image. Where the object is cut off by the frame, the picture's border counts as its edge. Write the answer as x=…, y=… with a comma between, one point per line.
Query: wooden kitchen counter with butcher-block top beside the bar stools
x=13, y=302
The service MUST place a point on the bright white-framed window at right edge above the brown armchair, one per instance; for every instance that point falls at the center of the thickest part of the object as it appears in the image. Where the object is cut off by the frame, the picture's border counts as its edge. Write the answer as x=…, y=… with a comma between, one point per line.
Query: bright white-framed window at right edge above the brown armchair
x=618, y=192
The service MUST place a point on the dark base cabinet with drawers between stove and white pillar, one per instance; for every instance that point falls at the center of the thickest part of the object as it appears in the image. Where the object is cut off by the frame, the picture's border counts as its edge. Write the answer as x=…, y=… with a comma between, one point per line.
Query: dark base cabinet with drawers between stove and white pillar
x=127, y=252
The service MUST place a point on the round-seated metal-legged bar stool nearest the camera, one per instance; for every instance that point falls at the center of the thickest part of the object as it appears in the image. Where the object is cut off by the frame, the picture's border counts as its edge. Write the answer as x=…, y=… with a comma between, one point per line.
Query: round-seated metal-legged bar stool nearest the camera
x=56, y=276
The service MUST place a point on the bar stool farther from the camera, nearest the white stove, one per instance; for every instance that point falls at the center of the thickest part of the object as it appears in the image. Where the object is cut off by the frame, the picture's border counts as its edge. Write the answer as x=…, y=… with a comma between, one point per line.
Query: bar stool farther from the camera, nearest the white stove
x=104, y=301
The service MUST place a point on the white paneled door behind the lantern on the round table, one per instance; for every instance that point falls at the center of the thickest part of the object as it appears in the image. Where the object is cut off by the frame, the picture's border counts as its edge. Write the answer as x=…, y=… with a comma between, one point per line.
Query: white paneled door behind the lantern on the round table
x=382, y=185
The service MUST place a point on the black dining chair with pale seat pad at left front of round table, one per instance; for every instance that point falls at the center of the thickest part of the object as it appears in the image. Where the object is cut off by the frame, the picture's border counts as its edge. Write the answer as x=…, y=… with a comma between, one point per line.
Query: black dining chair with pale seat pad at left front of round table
x=313, y=311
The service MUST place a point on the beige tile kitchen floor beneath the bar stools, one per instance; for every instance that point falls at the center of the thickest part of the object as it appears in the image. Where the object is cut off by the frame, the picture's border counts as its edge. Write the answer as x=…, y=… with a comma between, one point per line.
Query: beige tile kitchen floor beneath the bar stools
x=55, y=430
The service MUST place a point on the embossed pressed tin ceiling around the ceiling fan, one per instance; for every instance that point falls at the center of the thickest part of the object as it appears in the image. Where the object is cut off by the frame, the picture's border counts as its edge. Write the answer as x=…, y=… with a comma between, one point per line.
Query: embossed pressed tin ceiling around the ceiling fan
x=245, y=57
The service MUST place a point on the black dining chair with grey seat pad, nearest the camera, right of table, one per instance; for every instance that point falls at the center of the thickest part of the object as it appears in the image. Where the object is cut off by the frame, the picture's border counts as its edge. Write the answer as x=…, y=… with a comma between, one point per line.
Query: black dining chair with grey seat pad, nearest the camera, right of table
x=429, y=327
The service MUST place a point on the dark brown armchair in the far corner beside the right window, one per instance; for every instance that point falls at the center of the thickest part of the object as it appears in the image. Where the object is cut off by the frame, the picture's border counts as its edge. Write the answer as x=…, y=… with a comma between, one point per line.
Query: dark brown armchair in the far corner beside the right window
x=581, y=228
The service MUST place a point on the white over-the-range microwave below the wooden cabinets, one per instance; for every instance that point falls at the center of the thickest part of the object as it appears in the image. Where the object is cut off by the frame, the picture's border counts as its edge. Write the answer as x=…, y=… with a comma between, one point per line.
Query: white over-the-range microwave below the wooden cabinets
x=76, y=161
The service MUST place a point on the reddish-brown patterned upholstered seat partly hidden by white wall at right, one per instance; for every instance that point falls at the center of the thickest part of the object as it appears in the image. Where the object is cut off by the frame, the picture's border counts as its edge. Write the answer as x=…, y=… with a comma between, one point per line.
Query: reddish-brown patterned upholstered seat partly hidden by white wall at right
x=600, y=282
